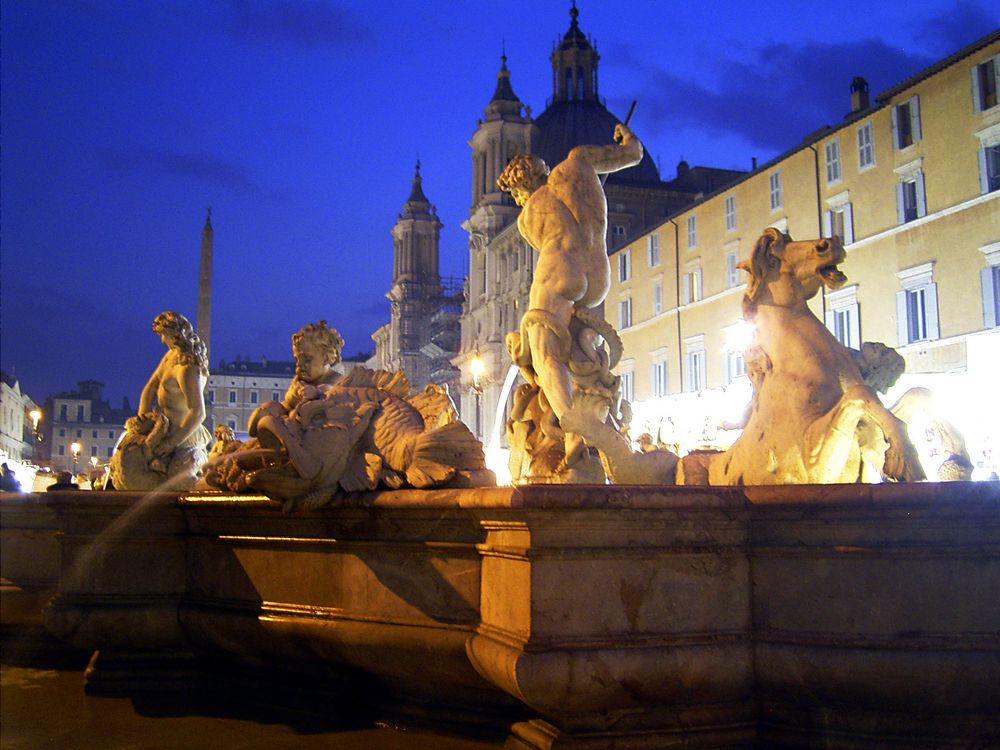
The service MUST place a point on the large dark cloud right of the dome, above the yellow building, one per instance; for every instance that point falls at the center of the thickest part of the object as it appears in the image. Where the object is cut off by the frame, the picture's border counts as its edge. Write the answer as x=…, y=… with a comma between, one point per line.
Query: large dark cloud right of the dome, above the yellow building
x=782, y=93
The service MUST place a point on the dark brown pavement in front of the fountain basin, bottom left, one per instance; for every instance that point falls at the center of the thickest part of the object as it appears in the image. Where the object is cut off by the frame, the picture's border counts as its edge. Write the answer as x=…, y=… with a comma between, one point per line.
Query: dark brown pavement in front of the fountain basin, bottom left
x=43, y=705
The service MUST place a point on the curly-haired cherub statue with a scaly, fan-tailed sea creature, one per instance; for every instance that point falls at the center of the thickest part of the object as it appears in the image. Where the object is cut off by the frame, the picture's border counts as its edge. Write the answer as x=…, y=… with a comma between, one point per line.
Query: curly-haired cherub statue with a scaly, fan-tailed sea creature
x=363, y=431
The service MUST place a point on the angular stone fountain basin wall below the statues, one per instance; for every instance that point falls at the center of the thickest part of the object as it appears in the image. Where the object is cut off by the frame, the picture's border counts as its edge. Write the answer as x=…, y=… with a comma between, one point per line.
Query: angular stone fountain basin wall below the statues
x=576, y=616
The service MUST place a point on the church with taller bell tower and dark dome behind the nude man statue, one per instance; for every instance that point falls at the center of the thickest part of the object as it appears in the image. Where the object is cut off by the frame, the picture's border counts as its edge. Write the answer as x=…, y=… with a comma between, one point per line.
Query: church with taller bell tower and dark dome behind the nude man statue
x=500, y=261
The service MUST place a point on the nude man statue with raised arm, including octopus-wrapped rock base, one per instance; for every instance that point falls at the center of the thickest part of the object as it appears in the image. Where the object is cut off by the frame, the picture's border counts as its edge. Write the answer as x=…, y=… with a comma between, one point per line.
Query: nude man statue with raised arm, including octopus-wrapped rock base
x=560, y=345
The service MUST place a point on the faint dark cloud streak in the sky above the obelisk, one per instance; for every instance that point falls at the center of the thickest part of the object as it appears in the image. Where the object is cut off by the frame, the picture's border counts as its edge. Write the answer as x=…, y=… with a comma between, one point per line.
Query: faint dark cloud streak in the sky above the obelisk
x=202, y=167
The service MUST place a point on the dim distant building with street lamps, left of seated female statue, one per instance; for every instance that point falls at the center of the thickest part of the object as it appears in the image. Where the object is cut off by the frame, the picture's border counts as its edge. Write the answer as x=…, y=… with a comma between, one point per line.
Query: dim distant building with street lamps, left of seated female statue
x=84, y=418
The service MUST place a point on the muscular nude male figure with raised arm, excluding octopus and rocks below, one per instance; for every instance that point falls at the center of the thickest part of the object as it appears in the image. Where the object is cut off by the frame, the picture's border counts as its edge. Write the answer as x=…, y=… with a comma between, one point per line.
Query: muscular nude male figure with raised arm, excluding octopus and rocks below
x=564, y=216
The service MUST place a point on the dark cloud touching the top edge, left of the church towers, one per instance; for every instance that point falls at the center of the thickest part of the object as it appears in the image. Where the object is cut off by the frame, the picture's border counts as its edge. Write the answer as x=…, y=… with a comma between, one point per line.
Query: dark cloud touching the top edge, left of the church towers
x=313, y=24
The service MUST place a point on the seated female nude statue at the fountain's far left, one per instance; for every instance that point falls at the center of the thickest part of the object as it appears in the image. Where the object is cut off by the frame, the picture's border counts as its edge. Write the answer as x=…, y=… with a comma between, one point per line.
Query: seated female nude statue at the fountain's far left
x=166, y=439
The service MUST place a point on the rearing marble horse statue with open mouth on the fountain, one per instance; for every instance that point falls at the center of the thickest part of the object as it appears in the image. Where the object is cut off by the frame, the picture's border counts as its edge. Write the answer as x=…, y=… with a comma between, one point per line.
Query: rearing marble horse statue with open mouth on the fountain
x=812, y=419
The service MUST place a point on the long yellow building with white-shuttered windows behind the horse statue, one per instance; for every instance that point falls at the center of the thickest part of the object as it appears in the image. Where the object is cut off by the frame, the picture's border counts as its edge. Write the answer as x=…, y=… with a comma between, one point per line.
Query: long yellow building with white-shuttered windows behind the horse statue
x=911, y=184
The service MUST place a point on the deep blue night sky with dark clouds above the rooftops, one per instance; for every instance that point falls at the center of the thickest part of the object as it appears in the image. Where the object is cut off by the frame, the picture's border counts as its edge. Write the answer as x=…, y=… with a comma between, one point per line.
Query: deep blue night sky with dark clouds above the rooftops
x=299, y=123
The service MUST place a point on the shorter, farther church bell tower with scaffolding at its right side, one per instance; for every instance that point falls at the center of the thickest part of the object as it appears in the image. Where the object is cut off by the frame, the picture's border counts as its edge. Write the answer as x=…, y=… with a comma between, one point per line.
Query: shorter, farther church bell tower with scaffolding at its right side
x=422, y=334
